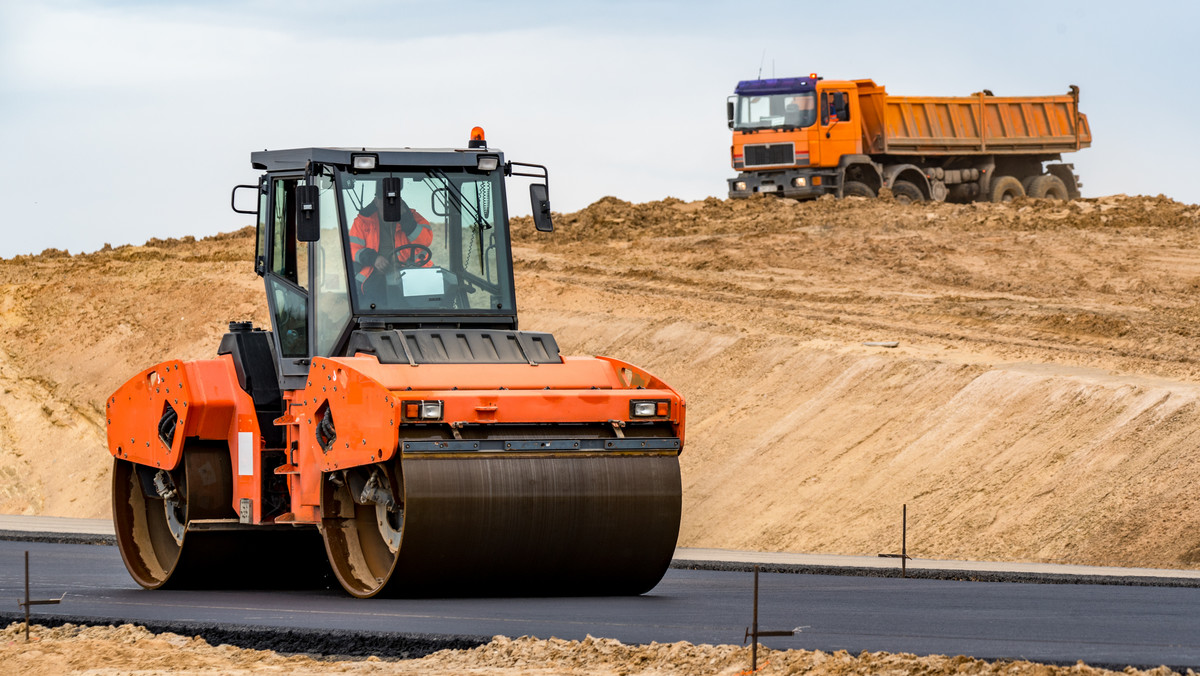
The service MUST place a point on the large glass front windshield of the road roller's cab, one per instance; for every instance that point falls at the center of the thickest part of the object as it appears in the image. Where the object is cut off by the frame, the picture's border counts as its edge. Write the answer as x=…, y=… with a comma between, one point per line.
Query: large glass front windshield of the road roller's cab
x=447, y=253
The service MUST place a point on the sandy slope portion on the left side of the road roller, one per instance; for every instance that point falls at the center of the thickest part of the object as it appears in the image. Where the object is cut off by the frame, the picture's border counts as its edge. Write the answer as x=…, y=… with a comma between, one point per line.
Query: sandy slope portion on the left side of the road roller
x=73, y=328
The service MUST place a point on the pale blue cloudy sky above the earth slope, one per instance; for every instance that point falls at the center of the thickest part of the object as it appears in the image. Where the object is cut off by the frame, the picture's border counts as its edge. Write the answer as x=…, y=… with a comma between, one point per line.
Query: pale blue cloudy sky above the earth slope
x=128, y=121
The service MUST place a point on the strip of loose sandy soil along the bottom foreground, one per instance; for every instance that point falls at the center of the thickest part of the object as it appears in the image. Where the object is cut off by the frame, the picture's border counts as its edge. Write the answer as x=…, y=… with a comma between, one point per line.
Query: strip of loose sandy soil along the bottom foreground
x=134, y=650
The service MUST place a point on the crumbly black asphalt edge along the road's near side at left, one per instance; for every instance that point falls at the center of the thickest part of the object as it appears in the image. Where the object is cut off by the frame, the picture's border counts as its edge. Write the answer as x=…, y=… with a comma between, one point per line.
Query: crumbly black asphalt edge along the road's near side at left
x=320, y=644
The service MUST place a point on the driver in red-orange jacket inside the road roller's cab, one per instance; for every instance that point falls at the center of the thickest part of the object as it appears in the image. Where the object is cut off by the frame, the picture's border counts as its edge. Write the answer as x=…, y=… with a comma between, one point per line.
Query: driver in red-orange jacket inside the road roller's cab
x=409, y=247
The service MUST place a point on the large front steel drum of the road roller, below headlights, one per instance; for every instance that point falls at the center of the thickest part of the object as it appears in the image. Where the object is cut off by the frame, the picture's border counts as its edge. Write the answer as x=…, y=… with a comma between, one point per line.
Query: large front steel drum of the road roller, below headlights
x=517, y=525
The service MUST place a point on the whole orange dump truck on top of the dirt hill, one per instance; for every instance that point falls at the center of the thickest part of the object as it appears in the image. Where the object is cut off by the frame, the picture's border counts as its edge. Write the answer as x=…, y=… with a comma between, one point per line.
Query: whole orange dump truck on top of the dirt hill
x=806, y=137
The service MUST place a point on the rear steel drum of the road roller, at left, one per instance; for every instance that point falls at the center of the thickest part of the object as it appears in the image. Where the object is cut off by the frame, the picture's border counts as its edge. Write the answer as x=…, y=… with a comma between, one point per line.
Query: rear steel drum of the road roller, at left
x=152, y=511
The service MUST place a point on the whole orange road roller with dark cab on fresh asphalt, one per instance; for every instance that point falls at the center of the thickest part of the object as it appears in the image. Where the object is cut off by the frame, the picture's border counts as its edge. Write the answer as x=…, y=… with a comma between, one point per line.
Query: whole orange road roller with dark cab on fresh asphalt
x=394, y=416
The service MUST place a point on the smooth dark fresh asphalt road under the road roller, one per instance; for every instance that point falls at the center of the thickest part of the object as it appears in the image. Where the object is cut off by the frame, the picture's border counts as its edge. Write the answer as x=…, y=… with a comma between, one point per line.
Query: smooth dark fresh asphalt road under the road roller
x=1102, y=625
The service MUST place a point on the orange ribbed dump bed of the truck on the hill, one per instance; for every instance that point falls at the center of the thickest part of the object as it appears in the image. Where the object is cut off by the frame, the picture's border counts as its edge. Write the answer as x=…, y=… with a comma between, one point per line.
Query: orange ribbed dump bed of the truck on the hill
x=971, y=125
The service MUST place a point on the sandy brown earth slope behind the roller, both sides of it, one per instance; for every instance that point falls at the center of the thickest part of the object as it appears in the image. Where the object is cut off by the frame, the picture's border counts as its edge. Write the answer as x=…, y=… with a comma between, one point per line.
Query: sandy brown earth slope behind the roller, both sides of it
x=1042, y=405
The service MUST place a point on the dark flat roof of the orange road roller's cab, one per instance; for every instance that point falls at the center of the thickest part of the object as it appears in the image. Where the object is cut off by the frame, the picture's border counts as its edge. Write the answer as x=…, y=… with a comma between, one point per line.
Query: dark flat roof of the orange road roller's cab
x=297, y=159
